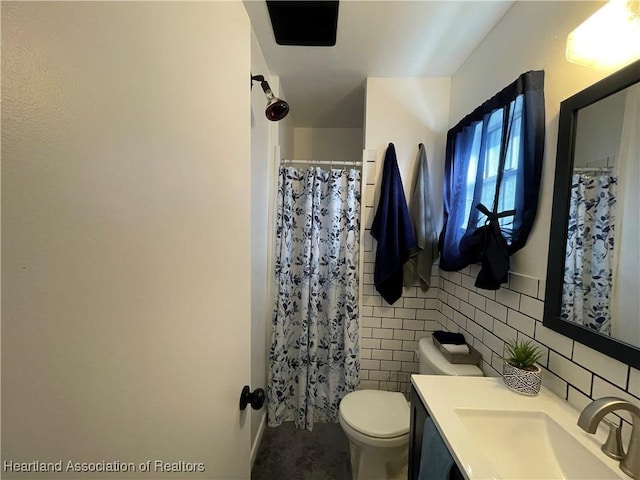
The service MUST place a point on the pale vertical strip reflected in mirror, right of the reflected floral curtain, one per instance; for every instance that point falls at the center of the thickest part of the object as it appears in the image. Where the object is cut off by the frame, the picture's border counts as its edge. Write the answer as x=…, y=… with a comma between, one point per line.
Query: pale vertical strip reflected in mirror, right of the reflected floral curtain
x=625, y=303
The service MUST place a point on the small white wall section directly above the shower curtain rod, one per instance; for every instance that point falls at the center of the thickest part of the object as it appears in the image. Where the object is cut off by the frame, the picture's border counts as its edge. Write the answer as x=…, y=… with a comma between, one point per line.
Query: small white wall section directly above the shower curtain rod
x=326, y=144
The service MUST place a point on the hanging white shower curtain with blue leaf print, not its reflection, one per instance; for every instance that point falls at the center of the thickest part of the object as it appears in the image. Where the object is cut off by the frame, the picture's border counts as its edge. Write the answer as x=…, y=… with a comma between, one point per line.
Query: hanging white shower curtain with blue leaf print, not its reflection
x=314, y=358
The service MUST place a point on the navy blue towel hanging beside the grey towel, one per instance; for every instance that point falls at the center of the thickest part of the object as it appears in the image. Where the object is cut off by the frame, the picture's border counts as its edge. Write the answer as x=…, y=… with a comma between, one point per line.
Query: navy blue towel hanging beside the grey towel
x=392, y=229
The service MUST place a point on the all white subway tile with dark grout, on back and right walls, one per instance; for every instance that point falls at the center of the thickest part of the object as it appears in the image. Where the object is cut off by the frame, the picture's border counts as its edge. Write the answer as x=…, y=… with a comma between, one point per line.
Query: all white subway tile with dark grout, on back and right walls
x=390, y=333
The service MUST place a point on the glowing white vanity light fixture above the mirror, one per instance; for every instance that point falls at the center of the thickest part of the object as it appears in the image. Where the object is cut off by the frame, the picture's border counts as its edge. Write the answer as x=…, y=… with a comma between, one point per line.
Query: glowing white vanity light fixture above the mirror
x=609, y=38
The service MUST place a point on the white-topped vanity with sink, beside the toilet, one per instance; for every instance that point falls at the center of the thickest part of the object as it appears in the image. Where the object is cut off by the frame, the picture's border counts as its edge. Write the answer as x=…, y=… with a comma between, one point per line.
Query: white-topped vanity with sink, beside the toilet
x=493, y=432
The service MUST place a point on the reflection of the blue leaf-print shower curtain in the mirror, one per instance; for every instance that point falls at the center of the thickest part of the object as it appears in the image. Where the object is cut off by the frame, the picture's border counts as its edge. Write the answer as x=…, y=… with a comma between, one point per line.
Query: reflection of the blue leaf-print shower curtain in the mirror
x=589, y=257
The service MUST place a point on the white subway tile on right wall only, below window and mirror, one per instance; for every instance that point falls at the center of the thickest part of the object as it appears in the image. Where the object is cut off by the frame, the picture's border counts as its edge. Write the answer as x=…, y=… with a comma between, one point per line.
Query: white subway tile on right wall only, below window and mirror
x=568, y=366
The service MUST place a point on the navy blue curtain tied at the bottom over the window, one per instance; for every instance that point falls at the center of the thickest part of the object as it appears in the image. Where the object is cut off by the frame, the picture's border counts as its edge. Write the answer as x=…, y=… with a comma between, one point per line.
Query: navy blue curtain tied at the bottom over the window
x=492, y=179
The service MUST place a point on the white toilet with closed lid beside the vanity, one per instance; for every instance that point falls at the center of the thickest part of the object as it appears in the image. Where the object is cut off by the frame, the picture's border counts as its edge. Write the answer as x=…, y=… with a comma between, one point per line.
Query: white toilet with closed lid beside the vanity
x=377, y=422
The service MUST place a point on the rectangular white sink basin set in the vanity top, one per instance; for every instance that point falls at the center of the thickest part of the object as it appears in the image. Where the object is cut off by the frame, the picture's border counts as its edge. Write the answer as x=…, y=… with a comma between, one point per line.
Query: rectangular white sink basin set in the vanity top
x=530, y=444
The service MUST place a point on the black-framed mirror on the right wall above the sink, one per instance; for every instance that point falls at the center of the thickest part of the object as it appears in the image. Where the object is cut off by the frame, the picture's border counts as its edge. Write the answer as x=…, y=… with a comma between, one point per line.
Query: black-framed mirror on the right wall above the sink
x=592, y=289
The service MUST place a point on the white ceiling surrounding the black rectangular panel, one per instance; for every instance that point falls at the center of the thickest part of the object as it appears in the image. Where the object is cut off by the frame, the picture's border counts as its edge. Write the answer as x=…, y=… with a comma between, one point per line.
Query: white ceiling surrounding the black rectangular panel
x=392, y=38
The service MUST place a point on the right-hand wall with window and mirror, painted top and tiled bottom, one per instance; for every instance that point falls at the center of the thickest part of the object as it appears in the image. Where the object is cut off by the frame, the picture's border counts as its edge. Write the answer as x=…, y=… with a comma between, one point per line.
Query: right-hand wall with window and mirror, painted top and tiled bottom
x=531, y=35
